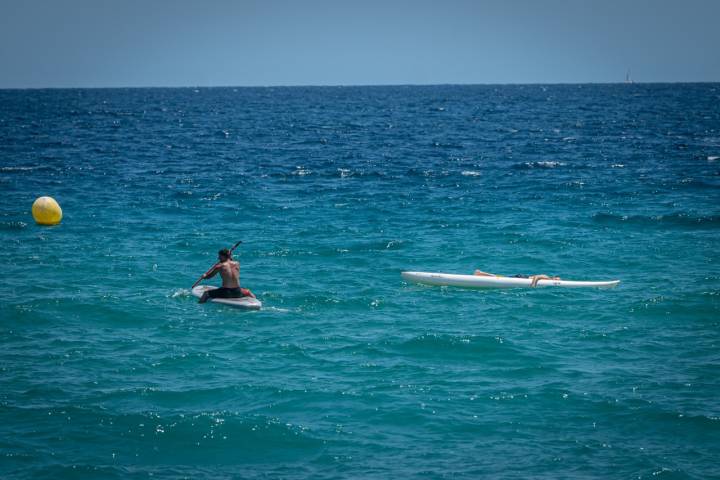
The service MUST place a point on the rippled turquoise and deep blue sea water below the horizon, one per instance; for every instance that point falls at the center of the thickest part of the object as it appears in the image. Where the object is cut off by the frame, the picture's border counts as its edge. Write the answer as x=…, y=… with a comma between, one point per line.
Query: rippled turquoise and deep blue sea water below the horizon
x=110, y=369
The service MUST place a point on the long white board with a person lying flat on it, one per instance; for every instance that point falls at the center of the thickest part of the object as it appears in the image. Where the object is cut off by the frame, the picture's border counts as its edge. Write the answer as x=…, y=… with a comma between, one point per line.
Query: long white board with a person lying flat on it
x=476, y=281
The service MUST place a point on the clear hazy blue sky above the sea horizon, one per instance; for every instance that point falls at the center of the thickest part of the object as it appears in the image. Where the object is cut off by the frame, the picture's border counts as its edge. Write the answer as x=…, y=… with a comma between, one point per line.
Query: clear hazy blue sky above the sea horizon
x=105, y=43
